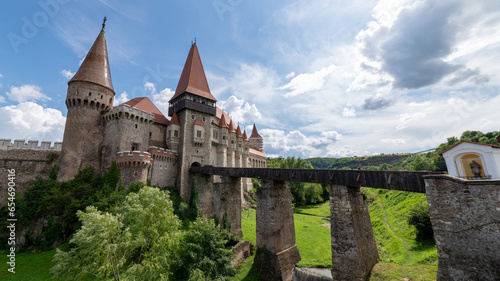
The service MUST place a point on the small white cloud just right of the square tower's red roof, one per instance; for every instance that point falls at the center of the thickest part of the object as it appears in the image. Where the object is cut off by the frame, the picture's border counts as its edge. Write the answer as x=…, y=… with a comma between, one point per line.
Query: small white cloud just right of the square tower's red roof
x=240, y=111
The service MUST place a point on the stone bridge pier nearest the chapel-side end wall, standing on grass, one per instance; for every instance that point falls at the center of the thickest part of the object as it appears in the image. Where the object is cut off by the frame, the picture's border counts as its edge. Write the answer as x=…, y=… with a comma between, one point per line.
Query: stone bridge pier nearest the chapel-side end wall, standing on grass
x=354, y=251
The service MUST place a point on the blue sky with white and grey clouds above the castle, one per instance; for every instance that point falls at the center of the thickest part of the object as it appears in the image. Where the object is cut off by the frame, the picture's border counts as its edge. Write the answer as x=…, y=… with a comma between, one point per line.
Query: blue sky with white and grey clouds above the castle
x=318, y=78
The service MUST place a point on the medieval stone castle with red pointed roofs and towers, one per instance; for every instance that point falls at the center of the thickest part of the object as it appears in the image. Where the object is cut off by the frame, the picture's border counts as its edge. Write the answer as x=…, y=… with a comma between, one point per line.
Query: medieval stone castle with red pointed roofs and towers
x=145, y=144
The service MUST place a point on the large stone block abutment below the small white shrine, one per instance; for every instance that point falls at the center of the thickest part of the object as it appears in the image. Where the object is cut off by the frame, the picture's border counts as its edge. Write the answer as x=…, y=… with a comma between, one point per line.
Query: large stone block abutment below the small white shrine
x=465, y=217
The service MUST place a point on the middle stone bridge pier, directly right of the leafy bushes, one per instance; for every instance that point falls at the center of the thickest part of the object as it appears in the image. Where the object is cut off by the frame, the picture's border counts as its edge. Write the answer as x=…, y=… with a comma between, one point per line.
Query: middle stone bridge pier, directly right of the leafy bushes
x=277, y=253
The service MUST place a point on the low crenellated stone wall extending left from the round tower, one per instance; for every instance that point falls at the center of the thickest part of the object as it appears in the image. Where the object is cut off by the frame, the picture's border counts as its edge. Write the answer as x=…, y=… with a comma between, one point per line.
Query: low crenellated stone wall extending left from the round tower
x=28, y=160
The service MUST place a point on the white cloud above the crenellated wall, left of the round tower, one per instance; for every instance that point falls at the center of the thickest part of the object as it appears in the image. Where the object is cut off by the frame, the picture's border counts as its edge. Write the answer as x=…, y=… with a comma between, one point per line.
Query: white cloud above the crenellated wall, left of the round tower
x=28, y=120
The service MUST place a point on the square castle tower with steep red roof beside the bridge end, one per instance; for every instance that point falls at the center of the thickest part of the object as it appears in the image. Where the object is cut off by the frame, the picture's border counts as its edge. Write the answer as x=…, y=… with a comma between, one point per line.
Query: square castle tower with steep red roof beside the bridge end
x=195, y=106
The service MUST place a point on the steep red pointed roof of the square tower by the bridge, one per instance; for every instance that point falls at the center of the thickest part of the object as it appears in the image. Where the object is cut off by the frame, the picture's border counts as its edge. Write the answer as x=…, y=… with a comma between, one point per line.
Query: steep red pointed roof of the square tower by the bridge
x=193, y=79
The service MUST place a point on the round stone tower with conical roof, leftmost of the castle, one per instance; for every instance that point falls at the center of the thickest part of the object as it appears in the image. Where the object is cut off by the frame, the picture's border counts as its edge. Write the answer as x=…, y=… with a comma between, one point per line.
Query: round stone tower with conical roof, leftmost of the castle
x=90, y=92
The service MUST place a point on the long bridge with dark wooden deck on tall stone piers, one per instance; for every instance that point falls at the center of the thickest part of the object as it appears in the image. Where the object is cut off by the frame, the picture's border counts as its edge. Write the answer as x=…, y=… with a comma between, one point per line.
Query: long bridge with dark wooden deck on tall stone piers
x=465, y=216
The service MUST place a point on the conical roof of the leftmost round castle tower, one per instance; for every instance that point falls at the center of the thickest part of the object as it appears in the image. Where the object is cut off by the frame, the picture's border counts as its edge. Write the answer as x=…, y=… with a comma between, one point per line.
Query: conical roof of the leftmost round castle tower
x=95, y=66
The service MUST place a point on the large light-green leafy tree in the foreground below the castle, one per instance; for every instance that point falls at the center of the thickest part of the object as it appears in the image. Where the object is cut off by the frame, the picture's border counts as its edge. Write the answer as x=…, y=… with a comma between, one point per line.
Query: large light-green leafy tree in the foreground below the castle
x=140, y=241
